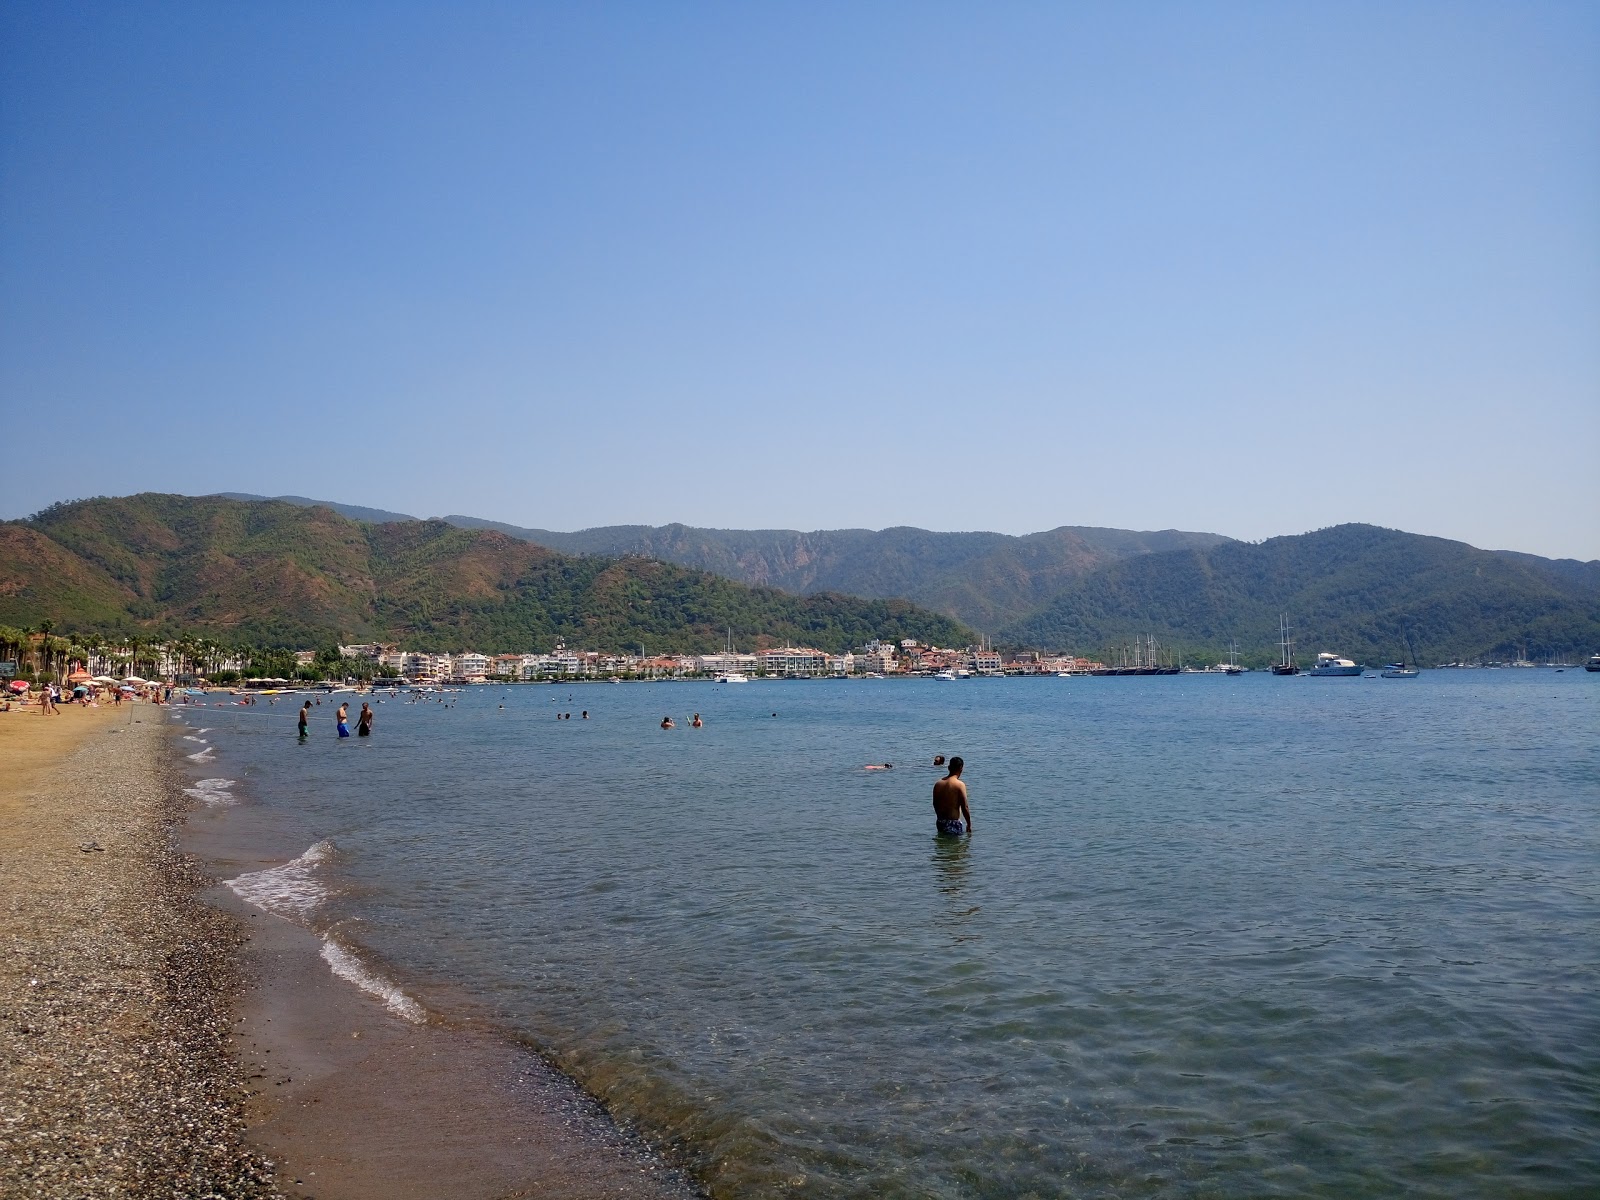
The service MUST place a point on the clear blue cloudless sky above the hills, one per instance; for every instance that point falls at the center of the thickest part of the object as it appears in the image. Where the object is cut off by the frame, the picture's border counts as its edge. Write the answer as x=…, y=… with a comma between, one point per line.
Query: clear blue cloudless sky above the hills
x=1239, y=268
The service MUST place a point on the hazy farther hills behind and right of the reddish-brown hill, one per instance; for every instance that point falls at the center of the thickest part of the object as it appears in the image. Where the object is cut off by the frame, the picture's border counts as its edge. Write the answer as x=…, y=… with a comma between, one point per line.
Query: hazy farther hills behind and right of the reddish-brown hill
x=1356, y=588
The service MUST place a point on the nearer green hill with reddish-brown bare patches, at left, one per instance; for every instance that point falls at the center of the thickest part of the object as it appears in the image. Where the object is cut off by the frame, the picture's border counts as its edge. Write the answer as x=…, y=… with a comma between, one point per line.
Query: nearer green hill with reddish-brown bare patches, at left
x=279, y=574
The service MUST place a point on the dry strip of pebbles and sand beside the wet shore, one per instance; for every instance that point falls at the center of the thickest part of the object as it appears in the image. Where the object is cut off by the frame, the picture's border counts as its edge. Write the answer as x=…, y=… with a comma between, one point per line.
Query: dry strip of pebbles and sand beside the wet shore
x=116, y=986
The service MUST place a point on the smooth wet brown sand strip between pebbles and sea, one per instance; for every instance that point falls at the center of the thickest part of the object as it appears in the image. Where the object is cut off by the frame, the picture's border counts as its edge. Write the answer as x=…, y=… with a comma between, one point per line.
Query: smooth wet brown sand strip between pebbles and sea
x=358, y=1097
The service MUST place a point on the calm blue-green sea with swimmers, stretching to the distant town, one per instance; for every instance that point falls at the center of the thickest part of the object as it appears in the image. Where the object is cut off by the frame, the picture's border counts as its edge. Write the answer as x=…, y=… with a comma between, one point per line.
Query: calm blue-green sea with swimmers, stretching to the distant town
x=1214, y=937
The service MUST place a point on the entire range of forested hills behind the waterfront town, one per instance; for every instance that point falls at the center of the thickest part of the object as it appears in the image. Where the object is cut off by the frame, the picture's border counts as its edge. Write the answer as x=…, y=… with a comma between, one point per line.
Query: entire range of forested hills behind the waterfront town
x=290, y=569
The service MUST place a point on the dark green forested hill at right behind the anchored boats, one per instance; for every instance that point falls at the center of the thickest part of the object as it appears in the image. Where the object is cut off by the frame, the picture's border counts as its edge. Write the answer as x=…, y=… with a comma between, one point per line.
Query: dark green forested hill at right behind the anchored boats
x=1354, y=590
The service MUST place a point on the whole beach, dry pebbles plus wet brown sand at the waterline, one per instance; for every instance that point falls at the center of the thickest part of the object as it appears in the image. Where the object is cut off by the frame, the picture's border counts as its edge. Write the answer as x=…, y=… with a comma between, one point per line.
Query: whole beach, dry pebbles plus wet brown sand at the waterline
x=166, y=1039
